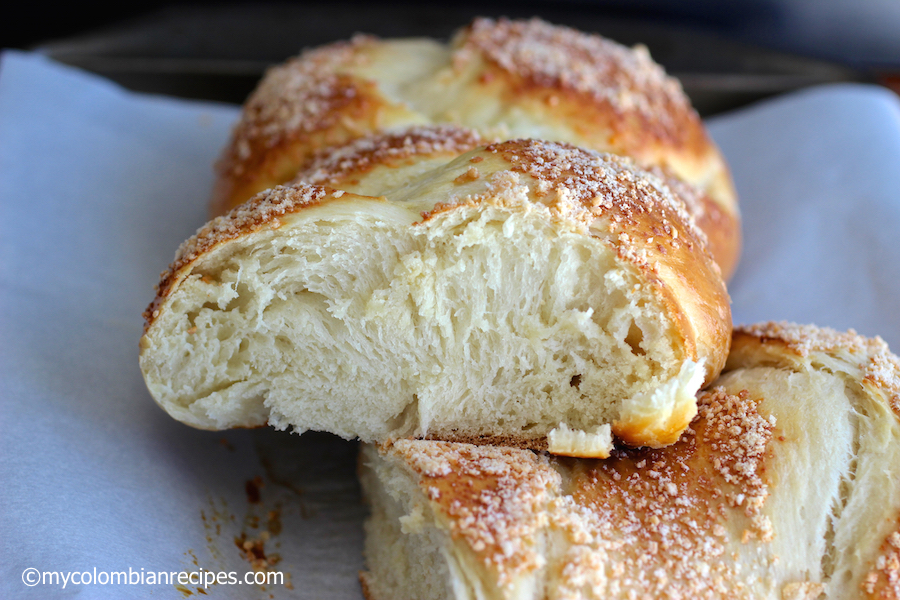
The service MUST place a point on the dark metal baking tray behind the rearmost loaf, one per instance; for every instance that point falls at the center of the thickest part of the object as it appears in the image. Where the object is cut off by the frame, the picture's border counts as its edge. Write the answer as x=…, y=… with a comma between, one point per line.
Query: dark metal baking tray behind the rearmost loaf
x=219, y=53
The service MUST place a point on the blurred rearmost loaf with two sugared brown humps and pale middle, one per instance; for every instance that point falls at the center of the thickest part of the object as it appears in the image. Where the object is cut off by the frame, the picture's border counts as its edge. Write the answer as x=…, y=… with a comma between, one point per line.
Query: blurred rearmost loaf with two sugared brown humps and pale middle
x=507, y=79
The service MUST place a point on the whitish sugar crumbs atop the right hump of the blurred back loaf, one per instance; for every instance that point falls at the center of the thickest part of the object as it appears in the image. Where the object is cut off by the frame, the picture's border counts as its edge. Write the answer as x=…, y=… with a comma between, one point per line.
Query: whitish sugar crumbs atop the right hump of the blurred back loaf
x=558, y=57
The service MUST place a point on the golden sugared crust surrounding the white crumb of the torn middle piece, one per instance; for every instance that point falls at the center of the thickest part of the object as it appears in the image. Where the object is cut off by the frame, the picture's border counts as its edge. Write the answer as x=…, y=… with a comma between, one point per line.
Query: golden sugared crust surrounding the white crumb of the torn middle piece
x=605, y=200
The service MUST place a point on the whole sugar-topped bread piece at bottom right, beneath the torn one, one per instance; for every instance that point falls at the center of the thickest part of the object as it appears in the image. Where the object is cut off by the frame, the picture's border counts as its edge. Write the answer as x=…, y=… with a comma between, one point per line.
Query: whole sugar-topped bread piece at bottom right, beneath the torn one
x=785, y=487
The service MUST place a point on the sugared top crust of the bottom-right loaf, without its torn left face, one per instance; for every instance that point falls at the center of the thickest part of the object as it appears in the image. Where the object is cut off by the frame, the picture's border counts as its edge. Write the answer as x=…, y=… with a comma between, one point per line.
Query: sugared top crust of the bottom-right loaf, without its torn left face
x=716, y=514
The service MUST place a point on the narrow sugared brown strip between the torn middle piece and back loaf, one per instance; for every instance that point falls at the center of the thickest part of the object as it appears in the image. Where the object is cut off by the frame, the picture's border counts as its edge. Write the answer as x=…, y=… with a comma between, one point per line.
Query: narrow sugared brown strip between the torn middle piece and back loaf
x=331, y=165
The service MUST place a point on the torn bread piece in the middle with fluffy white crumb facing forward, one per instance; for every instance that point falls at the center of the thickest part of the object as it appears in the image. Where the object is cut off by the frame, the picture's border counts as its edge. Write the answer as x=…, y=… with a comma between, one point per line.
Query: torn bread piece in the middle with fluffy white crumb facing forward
x=544, y=285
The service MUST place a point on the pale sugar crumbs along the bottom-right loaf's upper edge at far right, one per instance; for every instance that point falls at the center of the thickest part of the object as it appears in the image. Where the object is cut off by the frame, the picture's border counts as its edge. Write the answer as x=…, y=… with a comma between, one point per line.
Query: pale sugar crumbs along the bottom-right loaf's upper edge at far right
x=879, y=366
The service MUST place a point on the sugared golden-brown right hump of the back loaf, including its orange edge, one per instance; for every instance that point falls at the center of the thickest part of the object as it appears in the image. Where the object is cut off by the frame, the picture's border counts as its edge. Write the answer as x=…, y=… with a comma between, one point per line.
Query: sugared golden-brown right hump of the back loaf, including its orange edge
x=598, y=84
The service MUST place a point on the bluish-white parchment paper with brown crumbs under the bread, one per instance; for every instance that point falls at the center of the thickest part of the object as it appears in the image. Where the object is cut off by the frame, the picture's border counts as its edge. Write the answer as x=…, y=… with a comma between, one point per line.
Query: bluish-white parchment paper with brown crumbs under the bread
x=98, y=187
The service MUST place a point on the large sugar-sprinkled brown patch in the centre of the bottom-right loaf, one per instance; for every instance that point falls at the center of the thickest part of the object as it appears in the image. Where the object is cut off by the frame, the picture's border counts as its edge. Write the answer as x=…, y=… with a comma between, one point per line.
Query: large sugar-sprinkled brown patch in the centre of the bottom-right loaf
x=658, y=523
